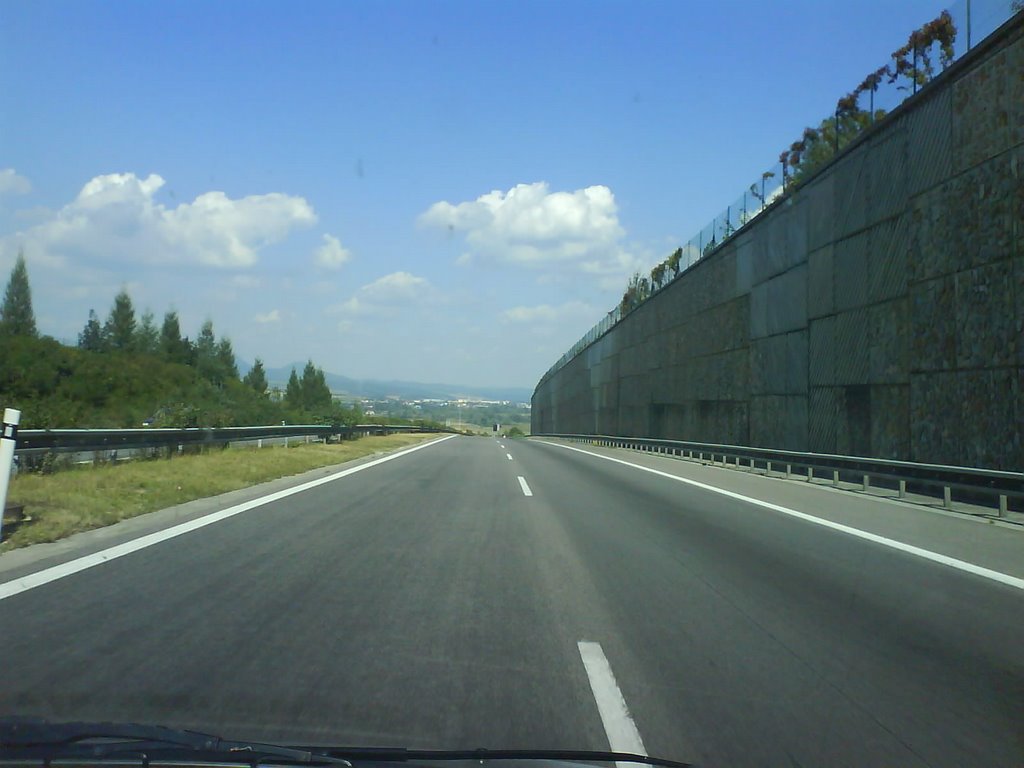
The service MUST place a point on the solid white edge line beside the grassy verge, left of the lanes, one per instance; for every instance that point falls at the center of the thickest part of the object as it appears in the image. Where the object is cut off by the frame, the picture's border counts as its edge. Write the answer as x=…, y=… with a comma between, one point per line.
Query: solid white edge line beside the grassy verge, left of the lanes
x=26, y=583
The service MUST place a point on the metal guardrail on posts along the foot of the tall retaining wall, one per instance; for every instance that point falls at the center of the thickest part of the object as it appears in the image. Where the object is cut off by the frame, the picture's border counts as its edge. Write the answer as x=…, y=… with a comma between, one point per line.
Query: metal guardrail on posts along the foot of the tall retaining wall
x=971, y=484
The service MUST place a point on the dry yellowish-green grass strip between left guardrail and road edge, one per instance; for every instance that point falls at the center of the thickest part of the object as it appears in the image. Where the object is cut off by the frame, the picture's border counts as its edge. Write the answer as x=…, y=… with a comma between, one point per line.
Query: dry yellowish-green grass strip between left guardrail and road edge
x=87, y=498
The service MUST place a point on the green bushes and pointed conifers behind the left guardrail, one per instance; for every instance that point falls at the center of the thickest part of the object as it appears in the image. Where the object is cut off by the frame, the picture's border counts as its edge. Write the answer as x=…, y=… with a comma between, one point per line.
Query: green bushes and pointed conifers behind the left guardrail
x=127, y=369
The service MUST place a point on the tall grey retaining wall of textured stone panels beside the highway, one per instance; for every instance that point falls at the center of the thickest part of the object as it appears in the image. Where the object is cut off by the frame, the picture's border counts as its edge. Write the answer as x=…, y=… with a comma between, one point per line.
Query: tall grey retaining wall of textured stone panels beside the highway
x=879, y=311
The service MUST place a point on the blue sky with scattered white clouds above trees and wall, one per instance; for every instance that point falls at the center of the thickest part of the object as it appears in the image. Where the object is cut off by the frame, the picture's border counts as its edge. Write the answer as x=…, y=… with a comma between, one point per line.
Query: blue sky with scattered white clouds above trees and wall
x=422, y=191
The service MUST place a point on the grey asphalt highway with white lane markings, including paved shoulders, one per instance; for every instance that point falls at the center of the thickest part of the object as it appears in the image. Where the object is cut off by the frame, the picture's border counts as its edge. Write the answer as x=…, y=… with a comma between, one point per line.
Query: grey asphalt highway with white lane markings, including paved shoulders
x=524, y=594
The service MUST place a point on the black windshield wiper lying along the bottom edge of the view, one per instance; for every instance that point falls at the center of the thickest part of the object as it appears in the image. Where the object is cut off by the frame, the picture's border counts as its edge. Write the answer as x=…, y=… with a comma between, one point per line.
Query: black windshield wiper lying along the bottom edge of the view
x=40, y=740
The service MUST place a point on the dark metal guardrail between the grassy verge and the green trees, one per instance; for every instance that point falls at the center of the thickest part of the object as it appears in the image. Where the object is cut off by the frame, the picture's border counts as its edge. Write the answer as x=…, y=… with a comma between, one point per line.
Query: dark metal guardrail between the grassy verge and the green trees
x=65, y=441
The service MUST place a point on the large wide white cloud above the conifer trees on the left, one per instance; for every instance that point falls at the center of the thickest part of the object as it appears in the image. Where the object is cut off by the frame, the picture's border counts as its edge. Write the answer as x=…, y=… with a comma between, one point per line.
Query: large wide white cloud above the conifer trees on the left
x=117, y=217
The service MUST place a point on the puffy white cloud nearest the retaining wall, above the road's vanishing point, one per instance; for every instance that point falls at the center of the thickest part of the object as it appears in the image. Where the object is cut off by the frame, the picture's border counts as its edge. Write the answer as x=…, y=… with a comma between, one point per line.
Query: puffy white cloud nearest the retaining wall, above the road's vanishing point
x=532, y=227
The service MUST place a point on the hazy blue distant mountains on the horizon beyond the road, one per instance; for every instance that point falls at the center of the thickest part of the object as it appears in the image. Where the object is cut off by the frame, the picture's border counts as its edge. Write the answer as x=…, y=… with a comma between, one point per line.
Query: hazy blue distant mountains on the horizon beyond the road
x=407, y=391
